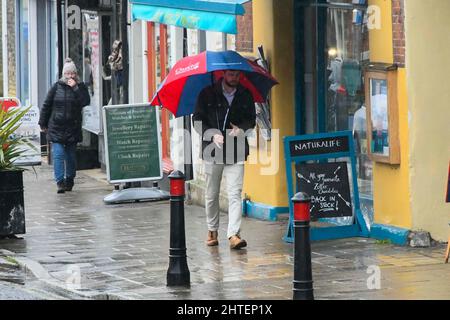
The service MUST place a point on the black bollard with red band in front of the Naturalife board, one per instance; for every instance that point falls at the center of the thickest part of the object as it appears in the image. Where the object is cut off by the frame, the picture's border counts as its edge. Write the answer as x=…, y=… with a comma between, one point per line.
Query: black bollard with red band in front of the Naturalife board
x=303, y=284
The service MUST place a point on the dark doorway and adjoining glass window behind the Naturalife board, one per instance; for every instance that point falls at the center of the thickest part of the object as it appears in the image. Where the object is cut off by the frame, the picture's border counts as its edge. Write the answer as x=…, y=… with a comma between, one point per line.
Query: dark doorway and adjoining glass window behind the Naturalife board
x=332, y=47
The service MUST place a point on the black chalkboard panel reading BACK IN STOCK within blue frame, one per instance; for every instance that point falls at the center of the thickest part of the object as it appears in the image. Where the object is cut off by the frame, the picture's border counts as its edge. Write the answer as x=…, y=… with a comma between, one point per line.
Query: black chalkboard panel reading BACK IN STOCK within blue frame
x=328, y=186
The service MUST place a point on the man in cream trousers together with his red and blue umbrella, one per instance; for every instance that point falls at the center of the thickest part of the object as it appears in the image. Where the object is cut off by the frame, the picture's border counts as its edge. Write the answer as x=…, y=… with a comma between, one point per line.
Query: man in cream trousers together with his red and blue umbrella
x=223, y=112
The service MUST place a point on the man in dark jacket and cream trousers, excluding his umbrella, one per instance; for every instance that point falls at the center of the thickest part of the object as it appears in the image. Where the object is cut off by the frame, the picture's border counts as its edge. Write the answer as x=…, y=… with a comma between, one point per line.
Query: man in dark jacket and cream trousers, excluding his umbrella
x=225, y=111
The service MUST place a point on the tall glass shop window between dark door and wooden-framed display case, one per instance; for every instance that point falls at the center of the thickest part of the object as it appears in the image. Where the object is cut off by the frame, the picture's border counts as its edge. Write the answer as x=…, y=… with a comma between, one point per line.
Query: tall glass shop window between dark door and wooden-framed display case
x=347, y=38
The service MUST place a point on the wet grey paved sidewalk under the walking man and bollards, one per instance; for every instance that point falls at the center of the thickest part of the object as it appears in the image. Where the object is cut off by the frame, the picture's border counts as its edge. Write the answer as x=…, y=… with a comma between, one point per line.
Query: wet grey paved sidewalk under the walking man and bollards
x=78, y=247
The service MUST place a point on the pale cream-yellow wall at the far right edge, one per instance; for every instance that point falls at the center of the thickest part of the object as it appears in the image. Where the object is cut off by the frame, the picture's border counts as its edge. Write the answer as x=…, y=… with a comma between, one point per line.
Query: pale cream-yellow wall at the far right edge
x=428, y=52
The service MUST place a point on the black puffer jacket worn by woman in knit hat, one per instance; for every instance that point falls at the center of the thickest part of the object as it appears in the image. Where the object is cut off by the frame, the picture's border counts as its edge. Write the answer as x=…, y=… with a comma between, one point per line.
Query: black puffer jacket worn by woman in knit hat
x=61, y=112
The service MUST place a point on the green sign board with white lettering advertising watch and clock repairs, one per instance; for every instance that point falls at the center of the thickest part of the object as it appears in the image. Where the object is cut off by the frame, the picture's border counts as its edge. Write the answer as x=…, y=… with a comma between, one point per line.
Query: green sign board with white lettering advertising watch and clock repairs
x=132, y=143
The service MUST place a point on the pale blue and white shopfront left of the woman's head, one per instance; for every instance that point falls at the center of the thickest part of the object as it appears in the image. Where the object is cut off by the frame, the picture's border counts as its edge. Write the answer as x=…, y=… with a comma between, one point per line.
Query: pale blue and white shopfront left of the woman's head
x=29, y=46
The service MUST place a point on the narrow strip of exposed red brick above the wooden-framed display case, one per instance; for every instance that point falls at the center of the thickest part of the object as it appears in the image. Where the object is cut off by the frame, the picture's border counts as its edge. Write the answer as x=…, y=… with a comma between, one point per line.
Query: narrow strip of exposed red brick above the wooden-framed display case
x=398, y=28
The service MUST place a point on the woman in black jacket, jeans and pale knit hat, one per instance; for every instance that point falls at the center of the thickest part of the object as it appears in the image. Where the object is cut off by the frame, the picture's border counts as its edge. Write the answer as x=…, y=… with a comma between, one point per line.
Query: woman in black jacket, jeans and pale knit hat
x=61, y=119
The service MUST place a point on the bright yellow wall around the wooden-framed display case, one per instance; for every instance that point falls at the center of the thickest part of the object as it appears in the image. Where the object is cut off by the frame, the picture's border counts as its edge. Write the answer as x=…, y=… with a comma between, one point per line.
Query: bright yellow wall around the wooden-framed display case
x=391, y=182
